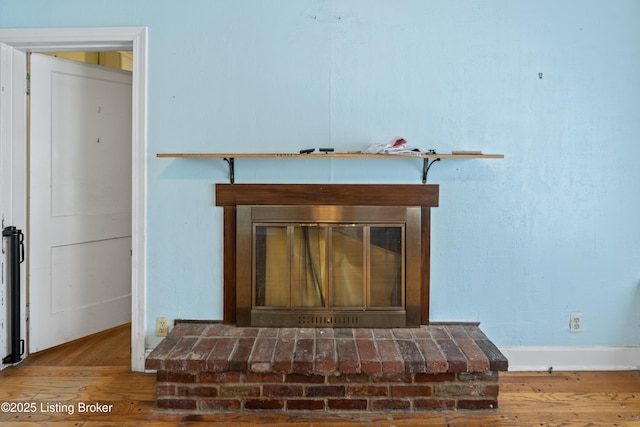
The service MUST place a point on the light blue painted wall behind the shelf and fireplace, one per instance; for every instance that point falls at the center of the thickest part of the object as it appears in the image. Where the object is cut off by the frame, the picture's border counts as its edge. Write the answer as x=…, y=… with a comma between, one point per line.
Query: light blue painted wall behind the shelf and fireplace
x=517, y=244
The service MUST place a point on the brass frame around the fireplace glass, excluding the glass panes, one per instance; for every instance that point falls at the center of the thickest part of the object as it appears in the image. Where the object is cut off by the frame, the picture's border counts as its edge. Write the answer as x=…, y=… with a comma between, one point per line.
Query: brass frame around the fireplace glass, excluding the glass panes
x=406, y=315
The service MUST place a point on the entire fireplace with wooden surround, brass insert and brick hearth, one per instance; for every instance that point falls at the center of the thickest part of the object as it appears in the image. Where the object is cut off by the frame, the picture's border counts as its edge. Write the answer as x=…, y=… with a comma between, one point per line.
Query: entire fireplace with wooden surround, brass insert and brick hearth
x=304, y=259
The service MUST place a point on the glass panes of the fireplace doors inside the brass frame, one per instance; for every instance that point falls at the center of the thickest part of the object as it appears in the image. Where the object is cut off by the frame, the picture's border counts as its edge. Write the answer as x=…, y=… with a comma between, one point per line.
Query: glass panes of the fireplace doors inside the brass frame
x=328, y=266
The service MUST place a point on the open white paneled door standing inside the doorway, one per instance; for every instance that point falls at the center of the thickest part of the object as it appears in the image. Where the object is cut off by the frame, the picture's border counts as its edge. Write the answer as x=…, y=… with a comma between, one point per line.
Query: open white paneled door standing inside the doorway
x=80, y=200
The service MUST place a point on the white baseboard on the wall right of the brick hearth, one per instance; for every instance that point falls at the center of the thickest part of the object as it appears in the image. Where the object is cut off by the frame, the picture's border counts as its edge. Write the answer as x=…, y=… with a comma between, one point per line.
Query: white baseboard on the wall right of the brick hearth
x=572, y=358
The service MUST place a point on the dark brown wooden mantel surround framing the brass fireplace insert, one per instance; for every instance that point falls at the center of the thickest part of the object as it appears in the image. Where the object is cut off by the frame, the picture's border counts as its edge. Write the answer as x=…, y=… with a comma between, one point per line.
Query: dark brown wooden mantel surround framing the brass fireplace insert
x=229, y=196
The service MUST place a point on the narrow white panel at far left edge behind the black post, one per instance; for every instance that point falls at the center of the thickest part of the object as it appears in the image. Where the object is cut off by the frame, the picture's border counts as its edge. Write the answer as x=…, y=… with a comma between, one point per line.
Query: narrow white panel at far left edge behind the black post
x=13, y=110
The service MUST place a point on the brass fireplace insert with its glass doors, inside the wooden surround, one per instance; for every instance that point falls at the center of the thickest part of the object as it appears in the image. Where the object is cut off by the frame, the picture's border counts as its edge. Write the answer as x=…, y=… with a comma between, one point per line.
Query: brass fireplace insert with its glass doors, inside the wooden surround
x=328, y=266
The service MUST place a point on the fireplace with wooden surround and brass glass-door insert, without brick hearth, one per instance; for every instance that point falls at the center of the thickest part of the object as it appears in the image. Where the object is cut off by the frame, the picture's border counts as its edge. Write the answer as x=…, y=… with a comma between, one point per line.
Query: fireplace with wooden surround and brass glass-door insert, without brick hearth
x=326, y=255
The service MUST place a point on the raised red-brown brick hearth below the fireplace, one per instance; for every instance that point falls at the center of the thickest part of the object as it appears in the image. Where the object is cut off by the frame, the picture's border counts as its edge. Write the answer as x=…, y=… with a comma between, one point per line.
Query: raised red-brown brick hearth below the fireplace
x=220, y=368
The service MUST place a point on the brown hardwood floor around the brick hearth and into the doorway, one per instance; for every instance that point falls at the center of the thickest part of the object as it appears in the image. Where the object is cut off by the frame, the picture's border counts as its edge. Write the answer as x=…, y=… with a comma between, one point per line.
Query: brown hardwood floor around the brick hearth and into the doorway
x=54, y=386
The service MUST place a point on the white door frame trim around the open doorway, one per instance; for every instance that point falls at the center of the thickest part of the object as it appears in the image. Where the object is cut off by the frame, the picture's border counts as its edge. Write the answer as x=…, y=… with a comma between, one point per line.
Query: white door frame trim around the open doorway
x=105, y=39
